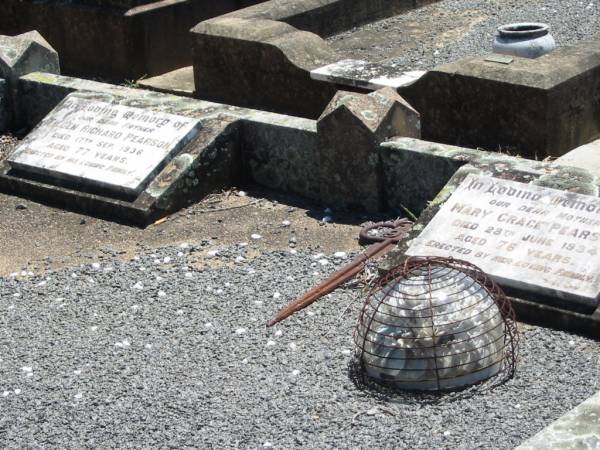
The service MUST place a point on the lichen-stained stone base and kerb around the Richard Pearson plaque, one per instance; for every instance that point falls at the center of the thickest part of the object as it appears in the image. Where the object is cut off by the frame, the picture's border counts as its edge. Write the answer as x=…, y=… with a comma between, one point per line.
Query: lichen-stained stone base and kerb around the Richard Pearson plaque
x=213, y=160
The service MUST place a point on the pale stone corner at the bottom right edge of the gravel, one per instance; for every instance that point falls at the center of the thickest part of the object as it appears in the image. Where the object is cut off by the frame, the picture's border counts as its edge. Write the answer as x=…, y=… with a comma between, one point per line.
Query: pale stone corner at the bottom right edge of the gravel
x=578, y=429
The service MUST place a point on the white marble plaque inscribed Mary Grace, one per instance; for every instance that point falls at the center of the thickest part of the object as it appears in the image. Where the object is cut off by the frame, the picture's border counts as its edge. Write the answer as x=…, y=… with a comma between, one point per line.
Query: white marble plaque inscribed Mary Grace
x=528, y=237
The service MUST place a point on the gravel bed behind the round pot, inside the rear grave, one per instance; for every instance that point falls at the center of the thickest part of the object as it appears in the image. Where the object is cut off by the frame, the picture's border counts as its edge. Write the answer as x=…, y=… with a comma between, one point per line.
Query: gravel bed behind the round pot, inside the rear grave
x=452, y=29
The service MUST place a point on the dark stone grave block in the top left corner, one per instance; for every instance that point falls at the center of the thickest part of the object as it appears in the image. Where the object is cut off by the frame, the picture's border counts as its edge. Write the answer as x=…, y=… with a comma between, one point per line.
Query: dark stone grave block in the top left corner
x=147, y=37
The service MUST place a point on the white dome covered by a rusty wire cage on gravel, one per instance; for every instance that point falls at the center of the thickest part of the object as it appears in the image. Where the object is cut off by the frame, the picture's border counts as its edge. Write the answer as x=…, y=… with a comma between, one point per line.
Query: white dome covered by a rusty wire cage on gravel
x=436, y=324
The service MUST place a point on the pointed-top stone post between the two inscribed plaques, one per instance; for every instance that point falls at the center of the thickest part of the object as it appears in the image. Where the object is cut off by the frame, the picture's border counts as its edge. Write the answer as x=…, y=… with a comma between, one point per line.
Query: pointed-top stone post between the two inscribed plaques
x=349, y=132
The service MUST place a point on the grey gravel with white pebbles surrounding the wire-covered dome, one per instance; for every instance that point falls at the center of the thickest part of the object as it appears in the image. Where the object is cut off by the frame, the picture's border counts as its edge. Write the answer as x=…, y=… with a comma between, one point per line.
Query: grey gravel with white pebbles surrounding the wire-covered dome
x=152, y=353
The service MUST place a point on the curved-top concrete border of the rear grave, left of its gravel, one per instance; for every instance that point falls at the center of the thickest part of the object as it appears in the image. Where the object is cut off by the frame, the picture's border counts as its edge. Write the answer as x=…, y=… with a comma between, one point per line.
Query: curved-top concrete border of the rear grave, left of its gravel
x=262, y=56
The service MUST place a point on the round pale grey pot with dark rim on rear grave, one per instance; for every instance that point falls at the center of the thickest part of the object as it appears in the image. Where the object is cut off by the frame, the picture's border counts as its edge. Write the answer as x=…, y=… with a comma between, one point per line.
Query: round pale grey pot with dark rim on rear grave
x=526, y=40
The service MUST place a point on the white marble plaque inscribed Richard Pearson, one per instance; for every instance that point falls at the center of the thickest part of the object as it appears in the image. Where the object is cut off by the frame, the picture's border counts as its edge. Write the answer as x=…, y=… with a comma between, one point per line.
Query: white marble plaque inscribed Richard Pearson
x=102, y=145
